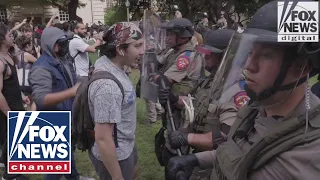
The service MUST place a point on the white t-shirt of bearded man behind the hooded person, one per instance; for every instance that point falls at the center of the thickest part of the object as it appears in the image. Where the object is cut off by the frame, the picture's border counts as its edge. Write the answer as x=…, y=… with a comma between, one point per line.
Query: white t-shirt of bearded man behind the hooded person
x=78, y=45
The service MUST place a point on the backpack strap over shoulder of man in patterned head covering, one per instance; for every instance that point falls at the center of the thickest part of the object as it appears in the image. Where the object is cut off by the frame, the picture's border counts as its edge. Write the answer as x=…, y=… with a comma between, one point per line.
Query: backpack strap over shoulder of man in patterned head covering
x=108, y=75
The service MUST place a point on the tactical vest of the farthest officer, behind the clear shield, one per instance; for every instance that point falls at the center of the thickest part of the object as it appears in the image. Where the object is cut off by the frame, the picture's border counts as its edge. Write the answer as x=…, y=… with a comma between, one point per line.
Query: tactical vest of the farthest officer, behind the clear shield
x=184, y=87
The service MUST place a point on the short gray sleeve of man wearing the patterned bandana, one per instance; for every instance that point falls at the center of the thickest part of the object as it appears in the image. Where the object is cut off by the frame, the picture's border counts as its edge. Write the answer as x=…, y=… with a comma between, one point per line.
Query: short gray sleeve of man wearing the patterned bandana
x=106, y=98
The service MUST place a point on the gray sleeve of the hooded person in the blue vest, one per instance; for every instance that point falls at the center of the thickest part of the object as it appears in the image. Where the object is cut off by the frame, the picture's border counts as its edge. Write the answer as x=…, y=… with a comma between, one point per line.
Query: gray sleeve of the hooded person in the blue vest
x=41, y=83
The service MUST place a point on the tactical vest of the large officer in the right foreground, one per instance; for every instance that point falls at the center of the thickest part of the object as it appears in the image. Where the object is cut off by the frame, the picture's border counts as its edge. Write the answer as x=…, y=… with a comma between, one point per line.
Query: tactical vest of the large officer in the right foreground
x=234, y=164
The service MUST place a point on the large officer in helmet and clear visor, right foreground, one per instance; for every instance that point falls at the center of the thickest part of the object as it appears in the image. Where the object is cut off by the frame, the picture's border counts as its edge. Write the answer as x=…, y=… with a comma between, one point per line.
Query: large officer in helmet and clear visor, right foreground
x=277, y=135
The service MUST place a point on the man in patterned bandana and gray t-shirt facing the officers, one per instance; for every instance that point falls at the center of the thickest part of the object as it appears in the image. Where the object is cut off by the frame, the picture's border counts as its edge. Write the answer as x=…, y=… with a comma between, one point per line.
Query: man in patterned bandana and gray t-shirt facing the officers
x=109, y=106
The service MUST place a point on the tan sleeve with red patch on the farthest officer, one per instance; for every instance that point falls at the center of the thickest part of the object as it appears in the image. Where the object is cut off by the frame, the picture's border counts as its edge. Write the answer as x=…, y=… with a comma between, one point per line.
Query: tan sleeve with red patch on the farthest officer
x=179, y=69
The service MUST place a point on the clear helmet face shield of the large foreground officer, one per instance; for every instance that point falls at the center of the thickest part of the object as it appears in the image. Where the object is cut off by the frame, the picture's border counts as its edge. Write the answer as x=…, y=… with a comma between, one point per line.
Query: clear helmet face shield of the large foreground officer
x=258, y=62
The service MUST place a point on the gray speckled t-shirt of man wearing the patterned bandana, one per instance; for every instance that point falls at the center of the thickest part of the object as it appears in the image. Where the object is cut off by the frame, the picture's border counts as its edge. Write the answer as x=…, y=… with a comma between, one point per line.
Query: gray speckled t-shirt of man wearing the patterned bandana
x=106, y=106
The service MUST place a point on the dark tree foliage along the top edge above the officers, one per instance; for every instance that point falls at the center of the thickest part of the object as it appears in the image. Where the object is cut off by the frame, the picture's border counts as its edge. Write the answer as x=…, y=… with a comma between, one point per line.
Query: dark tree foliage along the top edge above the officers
x=239, y=10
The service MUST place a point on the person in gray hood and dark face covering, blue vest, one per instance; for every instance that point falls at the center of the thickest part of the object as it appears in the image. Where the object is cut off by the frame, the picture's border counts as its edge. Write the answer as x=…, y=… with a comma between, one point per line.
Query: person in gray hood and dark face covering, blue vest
x=53, y=86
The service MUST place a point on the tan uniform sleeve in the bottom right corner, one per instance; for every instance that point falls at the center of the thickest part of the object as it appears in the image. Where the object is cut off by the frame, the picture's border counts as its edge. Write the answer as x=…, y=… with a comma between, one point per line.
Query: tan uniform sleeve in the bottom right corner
x=301, y=162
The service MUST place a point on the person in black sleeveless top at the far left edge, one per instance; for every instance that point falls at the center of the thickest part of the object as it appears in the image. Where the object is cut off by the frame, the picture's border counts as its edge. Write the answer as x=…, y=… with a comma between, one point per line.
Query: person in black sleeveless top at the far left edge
x=10, y=95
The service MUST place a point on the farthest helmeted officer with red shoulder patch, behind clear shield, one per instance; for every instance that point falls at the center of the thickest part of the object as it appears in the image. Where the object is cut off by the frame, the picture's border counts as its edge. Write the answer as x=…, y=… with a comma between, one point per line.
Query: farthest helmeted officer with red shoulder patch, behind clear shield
x=181, y=69
